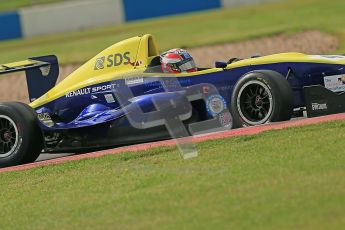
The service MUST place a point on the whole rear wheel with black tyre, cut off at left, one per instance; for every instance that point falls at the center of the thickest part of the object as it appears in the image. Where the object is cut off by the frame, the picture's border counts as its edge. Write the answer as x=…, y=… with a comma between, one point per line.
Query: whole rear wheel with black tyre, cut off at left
x=20, y=136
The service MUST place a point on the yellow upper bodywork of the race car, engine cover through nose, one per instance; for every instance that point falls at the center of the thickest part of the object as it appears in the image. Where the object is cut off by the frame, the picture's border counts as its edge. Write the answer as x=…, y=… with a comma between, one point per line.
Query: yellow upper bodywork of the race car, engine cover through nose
x=133, y=55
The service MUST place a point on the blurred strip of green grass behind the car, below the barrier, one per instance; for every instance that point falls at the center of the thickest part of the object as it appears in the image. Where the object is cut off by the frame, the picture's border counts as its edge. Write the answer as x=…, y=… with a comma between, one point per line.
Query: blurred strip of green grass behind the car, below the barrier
x=212, y=27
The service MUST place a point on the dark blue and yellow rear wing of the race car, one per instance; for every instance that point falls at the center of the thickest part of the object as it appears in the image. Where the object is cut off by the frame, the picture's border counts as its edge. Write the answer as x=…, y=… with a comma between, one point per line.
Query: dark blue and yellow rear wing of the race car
x=41, y=73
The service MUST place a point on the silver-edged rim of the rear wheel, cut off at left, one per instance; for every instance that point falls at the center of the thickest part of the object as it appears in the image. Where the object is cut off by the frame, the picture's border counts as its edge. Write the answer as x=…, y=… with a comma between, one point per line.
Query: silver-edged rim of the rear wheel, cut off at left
x=8, y=136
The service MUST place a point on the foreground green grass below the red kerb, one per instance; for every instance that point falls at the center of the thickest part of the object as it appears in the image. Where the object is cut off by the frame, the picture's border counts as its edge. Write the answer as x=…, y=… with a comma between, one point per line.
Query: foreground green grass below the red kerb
x=285, y=179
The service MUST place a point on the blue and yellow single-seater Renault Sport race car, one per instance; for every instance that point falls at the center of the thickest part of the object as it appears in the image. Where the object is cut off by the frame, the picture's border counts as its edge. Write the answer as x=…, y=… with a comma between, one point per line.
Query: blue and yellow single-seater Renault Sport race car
x=121, y=97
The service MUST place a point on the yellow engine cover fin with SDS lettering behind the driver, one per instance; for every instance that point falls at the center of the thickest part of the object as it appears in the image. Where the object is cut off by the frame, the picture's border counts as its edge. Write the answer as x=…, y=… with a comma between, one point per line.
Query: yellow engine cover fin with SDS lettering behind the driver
x=125, y=57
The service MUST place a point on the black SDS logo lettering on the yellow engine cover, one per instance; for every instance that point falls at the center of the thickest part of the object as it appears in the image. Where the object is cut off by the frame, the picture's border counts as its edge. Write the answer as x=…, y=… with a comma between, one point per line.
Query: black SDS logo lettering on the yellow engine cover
x=113, y=60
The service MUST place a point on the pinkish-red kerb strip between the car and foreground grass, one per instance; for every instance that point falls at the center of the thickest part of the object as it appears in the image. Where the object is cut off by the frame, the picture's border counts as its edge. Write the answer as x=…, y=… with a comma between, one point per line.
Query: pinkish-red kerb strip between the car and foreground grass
x=50, y=159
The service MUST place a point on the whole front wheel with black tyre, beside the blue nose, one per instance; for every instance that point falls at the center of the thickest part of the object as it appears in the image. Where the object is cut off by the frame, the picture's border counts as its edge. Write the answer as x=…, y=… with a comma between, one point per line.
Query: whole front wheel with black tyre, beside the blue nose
x=261, y=97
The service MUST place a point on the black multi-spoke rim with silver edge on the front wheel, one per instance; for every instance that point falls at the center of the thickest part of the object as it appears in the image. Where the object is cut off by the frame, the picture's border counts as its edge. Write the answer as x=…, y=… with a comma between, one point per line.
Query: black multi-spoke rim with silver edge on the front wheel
x=254, y=102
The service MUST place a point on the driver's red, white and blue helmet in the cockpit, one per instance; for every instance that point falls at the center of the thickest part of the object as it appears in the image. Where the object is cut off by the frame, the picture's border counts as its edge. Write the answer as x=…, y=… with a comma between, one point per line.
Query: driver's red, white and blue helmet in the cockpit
x=177, y=61
